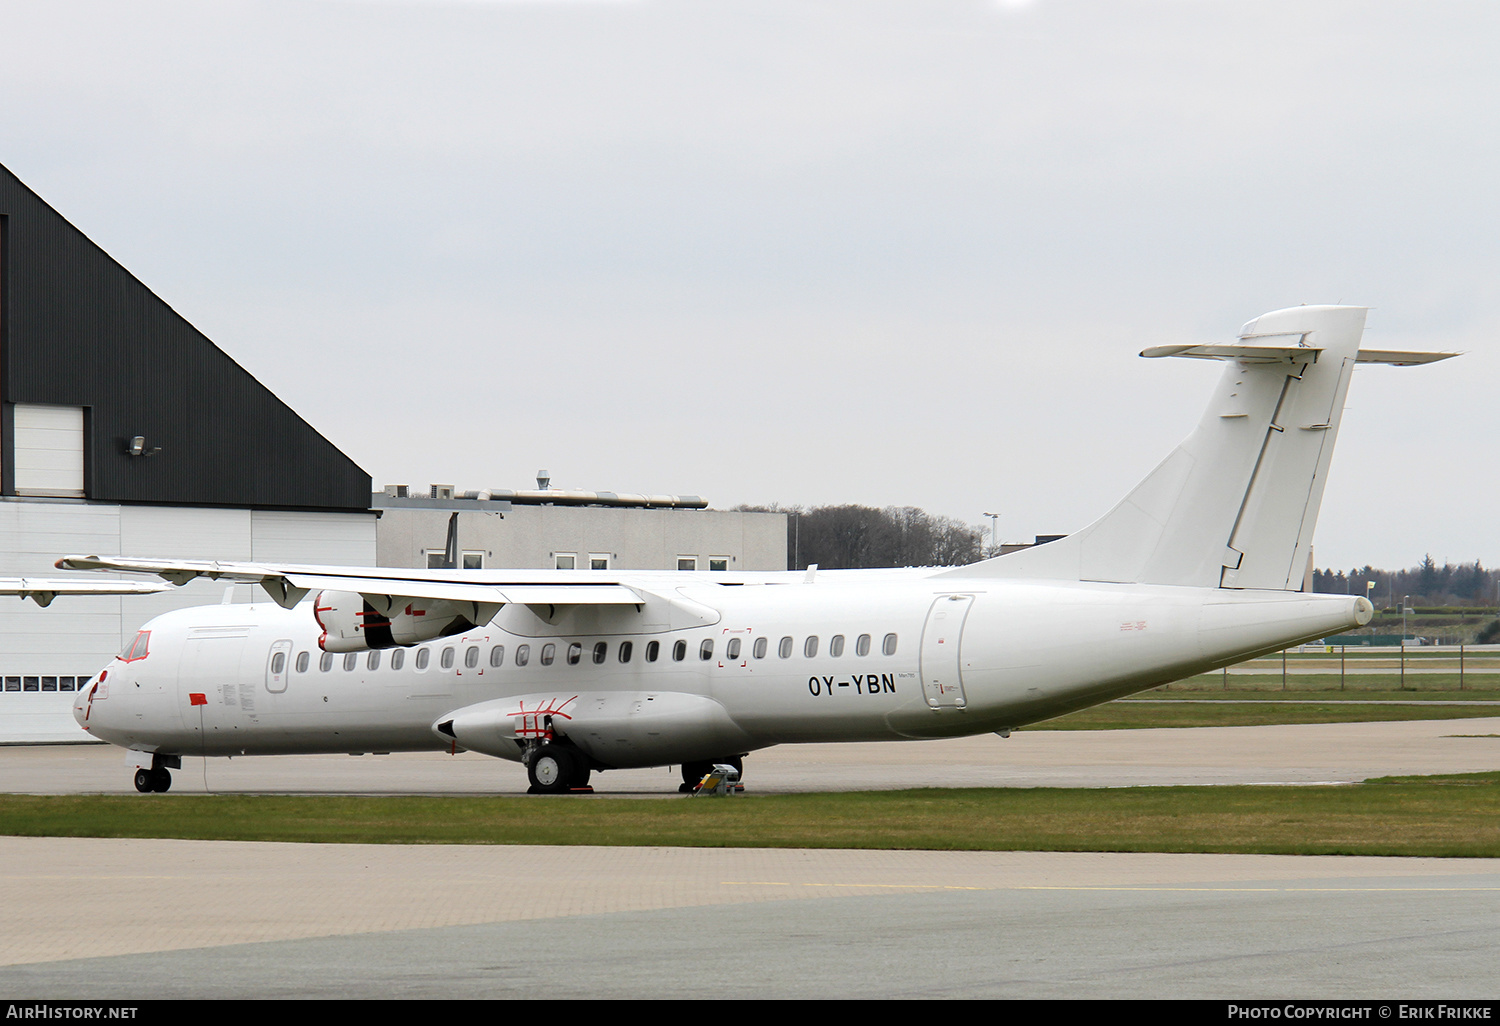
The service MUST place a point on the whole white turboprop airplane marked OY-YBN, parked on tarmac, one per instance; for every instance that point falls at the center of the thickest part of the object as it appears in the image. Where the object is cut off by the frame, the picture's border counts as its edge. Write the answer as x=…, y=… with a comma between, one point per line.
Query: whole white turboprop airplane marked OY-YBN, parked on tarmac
x=1204, y=565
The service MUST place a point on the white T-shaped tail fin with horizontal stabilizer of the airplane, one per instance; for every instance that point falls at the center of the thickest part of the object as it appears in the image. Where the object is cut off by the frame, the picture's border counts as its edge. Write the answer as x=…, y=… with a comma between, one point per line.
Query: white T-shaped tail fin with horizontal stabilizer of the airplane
x=1237, y=503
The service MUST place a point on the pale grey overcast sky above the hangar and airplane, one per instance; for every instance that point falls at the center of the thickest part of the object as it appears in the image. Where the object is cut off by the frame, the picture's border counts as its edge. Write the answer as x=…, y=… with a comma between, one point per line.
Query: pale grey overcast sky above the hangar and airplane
x=875, y=251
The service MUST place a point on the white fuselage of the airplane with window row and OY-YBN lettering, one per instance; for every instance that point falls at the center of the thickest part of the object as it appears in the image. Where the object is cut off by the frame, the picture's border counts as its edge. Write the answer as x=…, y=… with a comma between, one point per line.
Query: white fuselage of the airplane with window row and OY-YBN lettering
x=763, y=662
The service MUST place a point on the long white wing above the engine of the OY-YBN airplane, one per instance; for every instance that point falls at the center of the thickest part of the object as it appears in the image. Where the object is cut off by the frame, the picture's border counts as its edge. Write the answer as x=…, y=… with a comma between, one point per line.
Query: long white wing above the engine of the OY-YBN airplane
x=289, y=584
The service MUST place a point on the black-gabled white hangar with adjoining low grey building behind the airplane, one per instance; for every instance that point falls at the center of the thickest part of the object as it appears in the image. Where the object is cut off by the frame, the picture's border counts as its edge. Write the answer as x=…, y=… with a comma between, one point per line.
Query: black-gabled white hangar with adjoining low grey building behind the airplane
x=124, y=430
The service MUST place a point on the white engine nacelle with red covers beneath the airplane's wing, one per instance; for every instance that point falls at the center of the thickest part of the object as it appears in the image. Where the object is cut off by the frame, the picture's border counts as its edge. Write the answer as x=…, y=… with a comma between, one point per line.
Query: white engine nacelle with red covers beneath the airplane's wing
x=355, y=623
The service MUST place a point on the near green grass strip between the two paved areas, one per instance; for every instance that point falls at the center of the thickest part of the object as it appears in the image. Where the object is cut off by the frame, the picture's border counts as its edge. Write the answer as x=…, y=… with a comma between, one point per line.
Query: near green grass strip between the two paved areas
x=1444, y=817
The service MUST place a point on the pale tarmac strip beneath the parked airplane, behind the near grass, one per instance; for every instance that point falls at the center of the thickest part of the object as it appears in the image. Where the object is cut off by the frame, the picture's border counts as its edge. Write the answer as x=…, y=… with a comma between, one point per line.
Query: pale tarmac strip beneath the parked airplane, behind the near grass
x=1300, y=754
